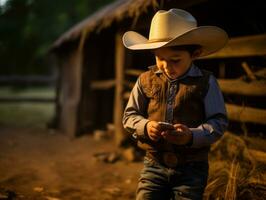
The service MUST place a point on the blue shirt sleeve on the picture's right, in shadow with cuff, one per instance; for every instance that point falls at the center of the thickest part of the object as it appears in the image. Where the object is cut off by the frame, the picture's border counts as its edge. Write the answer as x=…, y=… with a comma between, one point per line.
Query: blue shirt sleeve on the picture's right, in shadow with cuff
x=216, y=117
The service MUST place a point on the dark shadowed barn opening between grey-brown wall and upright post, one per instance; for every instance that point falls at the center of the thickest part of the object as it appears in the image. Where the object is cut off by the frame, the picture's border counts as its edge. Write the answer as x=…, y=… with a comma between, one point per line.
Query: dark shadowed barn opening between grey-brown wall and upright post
x=96, y=106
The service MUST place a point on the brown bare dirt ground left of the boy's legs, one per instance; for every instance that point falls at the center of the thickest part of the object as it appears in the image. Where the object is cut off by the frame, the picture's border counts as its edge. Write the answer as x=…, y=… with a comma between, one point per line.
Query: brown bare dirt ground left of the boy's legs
x=45, y=165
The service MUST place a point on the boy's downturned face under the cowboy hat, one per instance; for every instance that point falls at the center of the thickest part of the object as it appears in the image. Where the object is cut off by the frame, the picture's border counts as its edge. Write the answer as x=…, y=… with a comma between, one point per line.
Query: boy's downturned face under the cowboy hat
x=174, y=63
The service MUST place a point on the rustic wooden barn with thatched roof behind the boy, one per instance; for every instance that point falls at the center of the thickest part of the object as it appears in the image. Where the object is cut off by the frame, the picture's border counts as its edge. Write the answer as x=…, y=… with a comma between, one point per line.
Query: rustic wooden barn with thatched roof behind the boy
x=96, y=72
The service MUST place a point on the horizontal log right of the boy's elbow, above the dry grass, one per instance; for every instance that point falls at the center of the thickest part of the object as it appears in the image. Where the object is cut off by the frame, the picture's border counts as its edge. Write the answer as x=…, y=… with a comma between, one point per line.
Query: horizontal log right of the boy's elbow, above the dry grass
x=246, y=114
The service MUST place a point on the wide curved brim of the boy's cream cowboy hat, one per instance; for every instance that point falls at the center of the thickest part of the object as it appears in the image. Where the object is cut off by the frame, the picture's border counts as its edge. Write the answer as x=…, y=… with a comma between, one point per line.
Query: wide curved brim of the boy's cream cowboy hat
x=210, y=38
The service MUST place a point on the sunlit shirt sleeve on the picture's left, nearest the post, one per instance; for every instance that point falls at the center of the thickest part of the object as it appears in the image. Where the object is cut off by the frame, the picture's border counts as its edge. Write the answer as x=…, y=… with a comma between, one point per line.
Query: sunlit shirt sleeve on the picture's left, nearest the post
x=135, y=117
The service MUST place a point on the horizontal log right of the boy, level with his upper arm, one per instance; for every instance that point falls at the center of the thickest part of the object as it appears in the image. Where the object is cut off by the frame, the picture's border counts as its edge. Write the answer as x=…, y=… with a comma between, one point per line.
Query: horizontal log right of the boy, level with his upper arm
x=240, y=87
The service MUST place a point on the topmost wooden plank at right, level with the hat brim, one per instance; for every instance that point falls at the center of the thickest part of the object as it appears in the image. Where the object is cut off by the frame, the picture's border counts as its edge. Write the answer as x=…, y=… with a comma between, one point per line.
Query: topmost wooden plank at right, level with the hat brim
x=254, y=45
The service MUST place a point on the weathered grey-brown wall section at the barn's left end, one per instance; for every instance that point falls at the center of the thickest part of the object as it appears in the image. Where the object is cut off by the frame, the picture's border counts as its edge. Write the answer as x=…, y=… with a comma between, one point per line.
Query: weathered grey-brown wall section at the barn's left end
x=69, y=61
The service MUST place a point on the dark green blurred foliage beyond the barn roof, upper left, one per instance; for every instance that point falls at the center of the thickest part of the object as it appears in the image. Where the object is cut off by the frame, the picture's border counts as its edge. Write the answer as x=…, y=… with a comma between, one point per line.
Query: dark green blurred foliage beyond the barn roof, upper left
x=29, y=27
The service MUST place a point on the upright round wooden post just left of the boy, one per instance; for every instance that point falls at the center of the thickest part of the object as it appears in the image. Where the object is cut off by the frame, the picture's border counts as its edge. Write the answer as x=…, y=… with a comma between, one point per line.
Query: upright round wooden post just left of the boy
x=119, y=82
